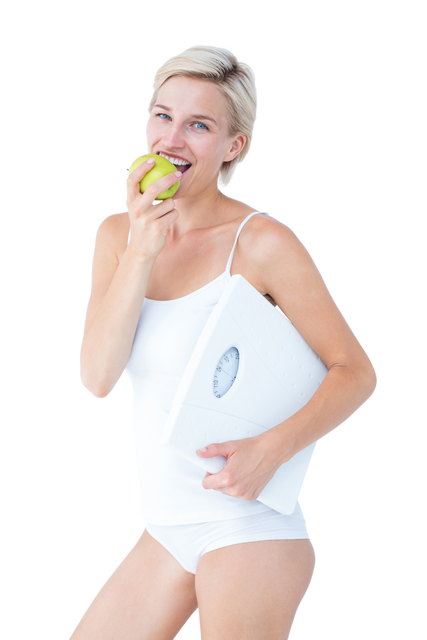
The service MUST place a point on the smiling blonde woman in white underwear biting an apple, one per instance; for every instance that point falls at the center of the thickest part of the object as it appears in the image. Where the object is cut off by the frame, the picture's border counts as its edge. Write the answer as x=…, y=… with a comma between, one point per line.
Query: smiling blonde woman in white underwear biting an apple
x=157, y=272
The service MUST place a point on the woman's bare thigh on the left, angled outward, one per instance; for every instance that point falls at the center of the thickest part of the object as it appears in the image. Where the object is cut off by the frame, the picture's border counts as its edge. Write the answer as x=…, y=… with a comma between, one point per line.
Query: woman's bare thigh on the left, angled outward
x=148, y=596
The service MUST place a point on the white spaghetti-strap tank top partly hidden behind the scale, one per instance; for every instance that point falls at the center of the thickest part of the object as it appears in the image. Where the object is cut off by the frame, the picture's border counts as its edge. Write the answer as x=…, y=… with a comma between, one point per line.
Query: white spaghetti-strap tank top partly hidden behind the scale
x=169, y=487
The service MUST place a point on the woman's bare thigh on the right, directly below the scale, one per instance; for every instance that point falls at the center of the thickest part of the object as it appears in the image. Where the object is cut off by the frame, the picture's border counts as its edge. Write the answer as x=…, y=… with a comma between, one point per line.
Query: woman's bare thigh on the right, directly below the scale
x=253, y=590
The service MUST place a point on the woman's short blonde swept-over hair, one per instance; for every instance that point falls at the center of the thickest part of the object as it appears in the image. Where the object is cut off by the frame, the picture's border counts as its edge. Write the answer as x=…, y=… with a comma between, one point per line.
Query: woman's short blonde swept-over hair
x=235, y=77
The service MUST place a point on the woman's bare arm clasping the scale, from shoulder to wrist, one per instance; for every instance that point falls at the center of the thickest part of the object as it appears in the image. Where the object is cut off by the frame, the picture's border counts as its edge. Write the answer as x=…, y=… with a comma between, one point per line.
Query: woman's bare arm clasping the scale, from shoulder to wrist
x=291, y=275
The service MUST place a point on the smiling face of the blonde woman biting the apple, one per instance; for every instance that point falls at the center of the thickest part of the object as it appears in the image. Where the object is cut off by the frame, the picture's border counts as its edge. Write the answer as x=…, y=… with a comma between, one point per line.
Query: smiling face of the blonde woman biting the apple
x=203, y=142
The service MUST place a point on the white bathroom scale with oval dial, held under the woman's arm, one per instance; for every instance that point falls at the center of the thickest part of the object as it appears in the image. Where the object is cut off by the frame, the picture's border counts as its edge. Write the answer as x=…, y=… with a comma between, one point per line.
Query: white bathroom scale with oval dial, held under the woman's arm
x=250, y=370
